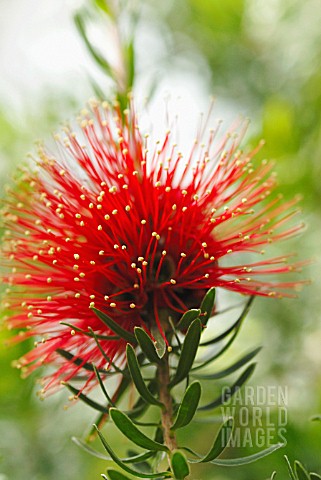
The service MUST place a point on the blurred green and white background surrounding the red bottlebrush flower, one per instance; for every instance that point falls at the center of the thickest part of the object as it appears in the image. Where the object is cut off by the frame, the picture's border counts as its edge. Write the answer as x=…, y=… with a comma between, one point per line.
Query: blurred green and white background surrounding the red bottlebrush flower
x=261, y=59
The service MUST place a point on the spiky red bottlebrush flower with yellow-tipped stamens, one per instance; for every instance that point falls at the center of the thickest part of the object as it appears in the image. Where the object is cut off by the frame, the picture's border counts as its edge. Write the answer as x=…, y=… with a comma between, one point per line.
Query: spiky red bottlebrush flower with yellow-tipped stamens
x=137, y=231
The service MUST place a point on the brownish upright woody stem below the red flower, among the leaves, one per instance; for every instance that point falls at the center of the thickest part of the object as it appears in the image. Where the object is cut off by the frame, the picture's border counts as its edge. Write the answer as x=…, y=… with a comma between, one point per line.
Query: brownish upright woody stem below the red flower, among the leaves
x=166, y=398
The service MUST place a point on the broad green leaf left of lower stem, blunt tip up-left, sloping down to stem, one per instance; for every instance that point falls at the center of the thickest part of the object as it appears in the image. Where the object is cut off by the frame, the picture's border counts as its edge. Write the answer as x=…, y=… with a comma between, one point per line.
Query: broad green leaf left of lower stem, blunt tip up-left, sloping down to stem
x=127, y=427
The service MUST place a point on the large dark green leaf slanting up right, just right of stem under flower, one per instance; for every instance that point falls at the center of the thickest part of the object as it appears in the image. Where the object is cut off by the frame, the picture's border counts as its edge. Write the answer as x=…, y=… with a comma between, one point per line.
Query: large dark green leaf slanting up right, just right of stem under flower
x=188, y=353
